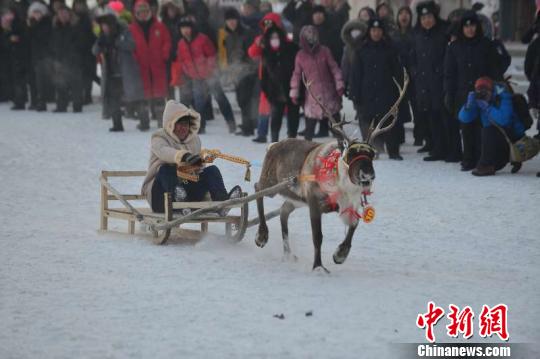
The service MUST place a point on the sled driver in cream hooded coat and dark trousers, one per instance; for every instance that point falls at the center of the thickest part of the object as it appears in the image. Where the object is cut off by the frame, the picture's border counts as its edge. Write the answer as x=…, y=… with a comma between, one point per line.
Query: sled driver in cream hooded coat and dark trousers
x=177, y=162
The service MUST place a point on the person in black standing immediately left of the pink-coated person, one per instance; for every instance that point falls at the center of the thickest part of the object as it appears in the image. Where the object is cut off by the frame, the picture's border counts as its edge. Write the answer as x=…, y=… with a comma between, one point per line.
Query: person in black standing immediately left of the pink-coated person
x=278, y=60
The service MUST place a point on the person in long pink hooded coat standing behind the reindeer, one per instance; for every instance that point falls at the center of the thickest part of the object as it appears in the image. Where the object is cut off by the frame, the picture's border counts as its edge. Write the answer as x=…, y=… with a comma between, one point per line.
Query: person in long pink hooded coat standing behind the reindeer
x=315, y=62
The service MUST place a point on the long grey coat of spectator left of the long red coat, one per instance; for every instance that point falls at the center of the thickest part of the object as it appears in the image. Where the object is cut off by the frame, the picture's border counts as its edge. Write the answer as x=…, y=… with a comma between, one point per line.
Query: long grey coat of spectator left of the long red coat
x=118, y=60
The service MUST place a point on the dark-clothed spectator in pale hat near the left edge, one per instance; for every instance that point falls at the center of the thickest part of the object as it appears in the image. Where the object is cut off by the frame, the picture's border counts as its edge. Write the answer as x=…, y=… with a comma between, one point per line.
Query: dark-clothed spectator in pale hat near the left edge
x=40, y=33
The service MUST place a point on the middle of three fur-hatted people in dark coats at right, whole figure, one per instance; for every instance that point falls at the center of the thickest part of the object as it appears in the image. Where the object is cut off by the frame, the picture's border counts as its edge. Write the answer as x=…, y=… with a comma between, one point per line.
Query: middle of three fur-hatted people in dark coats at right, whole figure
x=429, y=48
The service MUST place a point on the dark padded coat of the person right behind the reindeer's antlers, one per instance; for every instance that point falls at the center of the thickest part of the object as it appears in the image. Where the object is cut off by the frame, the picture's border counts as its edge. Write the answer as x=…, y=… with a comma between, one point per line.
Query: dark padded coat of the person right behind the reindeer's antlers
x=372, y=87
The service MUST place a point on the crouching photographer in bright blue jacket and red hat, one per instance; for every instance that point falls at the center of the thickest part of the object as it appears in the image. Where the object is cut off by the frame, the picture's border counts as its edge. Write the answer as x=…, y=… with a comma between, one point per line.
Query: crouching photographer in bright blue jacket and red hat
x=503, y=124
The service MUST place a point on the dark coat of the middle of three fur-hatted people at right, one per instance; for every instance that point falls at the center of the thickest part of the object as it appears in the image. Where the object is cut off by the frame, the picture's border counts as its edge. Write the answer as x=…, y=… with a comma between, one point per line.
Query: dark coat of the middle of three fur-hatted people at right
x=427, y=66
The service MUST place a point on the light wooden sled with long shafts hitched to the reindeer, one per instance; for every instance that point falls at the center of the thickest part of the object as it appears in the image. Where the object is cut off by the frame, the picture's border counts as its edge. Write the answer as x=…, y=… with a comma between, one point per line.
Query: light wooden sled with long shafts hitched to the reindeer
x=161, y=224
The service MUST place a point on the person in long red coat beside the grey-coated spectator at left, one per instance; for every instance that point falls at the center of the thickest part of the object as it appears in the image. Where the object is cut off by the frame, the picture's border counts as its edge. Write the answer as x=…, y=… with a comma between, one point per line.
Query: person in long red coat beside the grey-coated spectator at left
x=152, y=50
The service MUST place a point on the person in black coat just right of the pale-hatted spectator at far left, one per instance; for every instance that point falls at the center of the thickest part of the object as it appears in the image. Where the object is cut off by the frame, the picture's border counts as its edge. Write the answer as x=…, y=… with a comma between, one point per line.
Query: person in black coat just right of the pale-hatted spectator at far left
x=68, y=55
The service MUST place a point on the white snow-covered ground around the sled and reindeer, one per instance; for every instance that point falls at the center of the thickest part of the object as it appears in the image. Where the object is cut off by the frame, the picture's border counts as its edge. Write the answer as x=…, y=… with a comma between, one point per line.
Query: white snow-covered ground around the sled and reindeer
x=69, y=291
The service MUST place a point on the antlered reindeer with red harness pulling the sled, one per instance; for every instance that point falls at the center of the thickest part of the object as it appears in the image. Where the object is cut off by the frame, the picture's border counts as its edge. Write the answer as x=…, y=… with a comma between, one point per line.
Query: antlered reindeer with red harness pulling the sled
x=345, y=193
